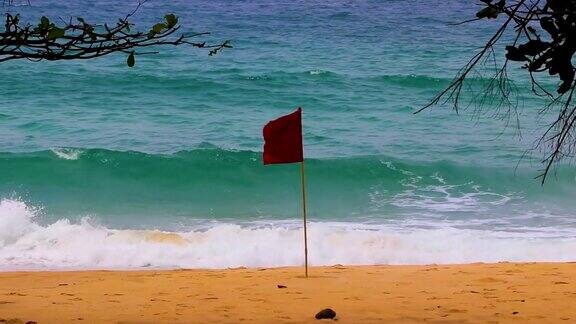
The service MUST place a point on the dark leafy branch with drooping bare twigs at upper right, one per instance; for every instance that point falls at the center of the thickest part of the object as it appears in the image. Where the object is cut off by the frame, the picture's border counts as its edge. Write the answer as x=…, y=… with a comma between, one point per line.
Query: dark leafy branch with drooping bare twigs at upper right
x=544, y=42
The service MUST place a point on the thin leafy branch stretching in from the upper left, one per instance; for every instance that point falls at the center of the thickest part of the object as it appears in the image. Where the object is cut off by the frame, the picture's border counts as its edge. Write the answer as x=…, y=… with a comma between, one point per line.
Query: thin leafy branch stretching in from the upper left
x=77, y=39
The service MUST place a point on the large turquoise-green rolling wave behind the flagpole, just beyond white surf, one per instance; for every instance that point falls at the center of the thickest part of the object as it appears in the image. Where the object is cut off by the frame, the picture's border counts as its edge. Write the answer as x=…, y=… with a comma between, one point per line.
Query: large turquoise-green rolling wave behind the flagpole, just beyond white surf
x=212, y=182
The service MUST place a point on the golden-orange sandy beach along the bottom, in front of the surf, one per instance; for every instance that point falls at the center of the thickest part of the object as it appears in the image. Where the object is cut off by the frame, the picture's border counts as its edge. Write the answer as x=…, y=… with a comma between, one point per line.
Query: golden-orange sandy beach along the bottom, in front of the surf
x=474, y=293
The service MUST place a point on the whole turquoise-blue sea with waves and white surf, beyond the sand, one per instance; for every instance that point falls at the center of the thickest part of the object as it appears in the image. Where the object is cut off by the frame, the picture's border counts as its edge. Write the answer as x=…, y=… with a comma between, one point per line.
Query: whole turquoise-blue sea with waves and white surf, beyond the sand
x=96, y=158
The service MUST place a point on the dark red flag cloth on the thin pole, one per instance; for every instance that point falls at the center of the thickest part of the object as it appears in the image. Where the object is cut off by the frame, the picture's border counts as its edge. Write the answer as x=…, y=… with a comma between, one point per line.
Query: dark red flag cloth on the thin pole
x=283, y=139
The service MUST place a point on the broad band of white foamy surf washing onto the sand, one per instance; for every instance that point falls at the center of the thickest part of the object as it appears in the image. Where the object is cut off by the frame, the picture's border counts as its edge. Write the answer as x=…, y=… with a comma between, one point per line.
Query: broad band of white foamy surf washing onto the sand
x=25, y=244
